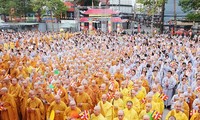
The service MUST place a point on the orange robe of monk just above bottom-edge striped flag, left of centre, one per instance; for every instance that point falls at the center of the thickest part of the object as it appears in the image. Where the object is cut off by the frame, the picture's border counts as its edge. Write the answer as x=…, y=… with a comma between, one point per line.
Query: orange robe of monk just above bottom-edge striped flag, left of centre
x=83, y=98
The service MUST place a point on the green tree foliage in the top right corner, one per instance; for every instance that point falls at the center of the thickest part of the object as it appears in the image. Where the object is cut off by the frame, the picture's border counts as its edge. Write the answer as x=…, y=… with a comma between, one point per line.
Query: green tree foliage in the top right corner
x=191, y=6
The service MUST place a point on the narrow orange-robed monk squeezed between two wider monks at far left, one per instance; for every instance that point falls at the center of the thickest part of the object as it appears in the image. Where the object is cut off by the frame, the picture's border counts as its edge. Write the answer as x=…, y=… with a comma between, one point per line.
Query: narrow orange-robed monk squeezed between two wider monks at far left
x=24, y=97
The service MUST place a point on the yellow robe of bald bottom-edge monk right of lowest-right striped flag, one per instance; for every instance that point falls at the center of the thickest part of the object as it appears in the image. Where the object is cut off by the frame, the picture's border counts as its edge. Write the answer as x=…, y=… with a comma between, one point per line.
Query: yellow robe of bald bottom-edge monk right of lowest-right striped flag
x=179, y=116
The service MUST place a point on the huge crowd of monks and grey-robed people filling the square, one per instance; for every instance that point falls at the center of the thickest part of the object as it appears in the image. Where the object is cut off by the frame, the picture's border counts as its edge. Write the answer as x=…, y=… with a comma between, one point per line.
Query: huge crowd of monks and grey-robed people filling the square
x=101, y=76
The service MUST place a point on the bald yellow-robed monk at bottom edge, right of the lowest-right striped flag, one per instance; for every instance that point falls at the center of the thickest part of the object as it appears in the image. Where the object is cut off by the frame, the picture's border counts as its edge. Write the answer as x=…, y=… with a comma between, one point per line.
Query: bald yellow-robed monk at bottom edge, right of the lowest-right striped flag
x=177, y=112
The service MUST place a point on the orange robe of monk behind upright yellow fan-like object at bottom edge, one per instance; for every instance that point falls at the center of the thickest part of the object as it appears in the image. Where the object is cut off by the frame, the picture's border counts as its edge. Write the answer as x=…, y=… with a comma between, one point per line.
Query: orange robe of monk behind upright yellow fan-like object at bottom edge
x=54, y=106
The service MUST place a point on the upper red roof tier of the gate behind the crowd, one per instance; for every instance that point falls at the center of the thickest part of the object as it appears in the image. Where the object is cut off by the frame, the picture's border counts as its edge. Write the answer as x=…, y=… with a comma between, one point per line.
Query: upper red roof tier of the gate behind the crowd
x=100, y=12
